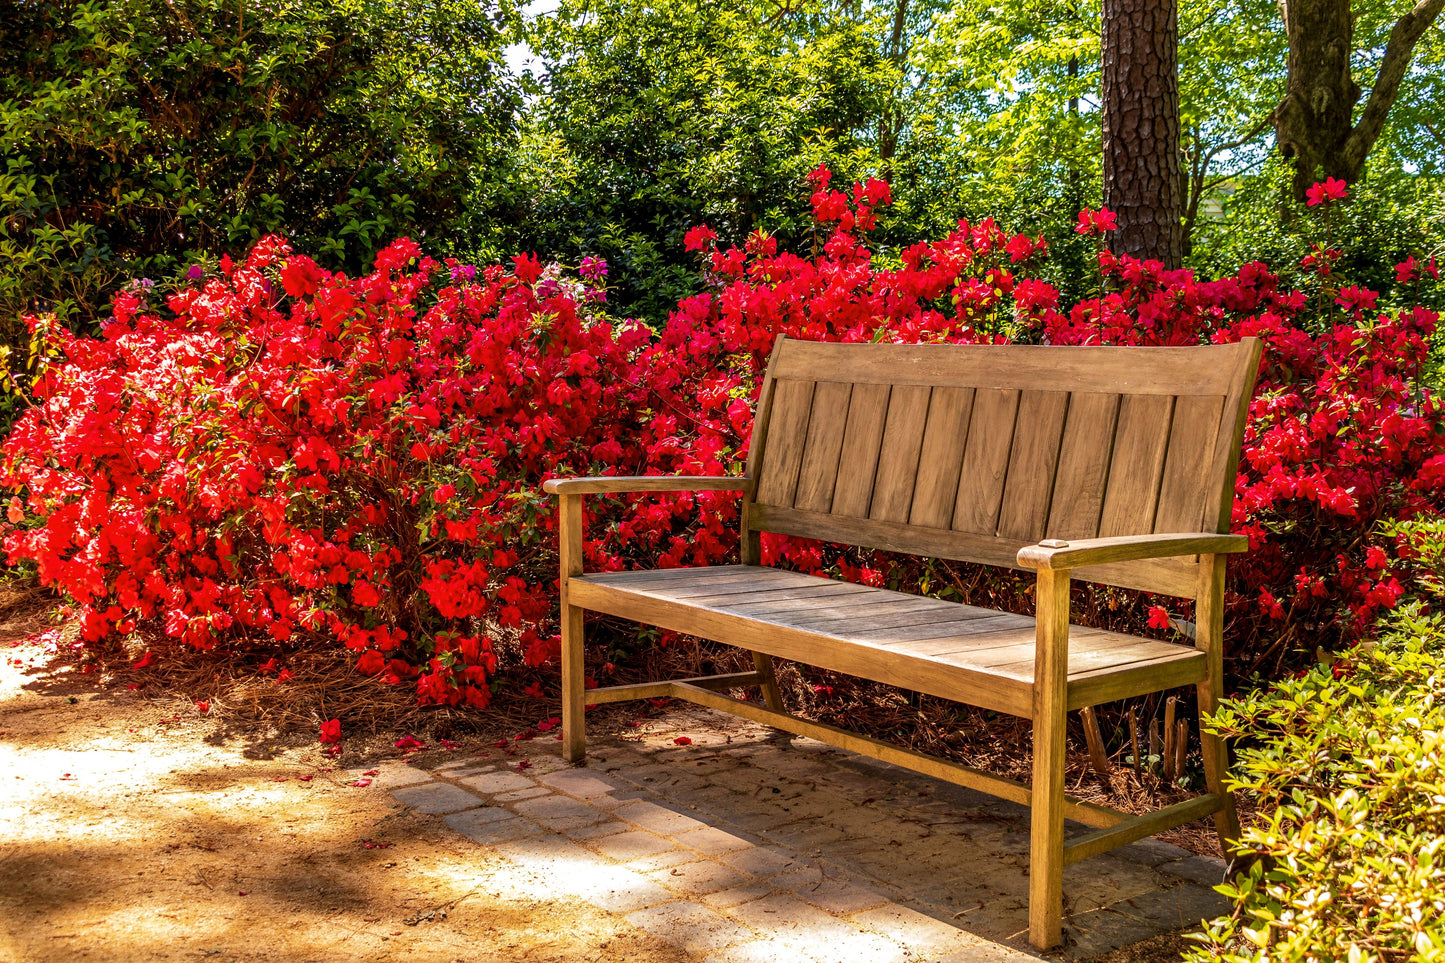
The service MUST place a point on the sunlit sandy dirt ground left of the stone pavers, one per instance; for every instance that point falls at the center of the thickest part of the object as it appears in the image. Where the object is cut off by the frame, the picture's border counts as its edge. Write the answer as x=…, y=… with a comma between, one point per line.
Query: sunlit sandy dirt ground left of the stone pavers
x=135, y=828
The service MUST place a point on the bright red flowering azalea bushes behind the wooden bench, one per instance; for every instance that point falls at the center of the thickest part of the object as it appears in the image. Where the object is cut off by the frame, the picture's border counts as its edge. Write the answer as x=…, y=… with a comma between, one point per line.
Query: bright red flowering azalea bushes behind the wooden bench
x=280, y=453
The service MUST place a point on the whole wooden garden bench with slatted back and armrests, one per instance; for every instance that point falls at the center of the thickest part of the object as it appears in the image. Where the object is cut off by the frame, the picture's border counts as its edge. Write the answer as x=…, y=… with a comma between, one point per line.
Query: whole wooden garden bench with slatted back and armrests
x=1097, y=463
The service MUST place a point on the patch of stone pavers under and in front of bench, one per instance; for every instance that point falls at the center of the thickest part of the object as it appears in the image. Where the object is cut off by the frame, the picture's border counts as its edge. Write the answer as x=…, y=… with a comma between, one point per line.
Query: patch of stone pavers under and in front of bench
x=751, y=845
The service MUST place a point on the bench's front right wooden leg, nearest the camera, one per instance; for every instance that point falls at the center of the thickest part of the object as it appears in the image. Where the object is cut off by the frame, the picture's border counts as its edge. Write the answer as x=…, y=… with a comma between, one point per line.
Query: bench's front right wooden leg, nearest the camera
x=1051, y=666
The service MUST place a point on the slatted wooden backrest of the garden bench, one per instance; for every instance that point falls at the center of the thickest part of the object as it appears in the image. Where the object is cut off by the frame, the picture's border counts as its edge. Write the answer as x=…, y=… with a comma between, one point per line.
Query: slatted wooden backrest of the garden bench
x=973, y=452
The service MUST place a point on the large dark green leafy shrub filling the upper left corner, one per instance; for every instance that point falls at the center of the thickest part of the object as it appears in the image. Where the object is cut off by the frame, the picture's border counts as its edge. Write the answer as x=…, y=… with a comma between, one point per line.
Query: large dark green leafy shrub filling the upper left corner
x=142, y=135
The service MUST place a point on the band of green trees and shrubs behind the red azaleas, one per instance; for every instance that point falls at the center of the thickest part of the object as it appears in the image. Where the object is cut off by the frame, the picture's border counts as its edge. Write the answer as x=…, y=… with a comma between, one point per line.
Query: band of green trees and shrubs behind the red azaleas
x=147, y=135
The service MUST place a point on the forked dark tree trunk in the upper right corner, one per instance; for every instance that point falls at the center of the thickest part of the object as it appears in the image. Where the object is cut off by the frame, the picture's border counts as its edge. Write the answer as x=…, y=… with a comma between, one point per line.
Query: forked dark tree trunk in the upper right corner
x=1316, y=125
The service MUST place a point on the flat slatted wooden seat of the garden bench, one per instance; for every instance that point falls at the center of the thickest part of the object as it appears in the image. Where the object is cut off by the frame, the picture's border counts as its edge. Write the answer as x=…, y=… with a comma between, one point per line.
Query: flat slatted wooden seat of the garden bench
x=943, y=649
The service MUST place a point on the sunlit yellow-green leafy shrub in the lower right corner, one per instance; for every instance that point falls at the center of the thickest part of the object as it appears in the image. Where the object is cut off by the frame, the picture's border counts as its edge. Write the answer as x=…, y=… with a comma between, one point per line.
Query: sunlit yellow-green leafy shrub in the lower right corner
x=1349, y=767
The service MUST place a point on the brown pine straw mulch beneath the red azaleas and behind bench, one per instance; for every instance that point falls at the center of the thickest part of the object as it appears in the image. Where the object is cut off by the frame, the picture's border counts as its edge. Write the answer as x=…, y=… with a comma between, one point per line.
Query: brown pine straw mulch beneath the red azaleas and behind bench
x=324, y=685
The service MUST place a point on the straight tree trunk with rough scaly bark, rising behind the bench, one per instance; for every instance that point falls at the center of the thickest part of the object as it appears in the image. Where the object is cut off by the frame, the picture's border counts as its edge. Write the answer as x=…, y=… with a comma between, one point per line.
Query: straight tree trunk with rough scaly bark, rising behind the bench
x=1141, y=92
